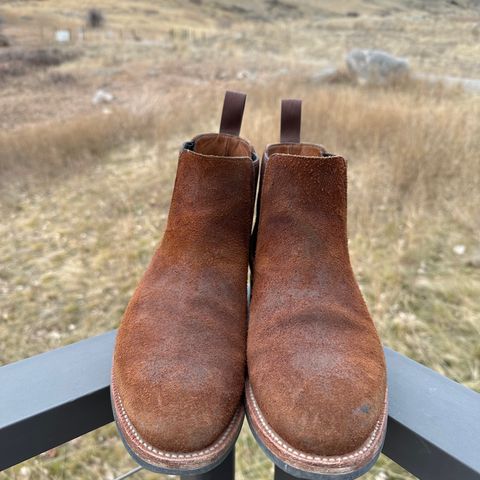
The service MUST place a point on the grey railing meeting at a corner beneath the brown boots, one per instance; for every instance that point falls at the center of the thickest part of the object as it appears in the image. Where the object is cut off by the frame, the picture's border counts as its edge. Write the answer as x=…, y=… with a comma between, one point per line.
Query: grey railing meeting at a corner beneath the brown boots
x=51, y=398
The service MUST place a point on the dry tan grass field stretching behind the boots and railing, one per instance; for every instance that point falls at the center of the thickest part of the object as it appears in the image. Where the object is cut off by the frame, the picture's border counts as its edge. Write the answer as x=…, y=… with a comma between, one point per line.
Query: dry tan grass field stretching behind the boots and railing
x=85, y=189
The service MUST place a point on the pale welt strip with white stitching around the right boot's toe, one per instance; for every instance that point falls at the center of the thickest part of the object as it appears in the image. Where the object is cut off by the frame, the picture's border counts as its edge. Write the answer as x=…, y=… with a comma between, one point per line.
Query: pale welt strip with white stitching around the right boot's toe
x=274, y=438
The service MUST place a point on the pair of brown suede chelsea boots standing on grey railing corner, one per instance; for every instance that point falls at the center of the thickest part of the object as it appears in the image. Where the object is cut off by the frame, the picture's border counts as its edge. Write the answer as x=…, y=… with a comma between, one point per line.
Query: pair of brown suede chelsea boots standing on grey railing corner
x=310, y=374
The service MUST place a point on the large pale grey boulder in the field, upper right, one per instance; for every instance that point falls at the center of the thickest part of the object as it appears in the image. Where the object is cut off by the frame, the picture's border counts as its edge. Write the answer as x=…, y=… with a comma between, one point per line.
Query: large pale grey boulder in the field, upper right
x=376, y=67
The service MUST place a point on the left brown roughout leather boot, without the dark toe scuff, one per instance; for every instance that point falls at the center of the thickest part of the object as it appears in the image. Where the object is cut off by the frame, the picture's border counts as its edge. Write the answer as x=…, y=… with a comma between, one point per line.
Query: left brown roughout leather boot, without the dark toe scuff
x=178, y=371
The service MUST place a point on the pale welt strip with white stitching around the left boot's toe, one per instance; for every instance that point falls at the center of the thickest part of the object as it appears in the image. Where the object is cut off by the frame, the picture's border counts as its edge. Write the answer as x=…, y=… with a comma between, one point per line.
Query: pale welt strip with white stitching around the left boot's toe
x=169, y=456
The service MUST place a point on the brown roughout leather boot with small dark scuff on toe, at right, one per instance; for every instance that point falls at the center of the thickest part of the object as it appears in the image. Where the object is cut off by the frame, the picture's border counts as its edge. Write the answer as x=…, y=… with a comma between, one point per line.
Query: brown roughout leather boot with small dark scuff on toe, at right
x=316, y=395
